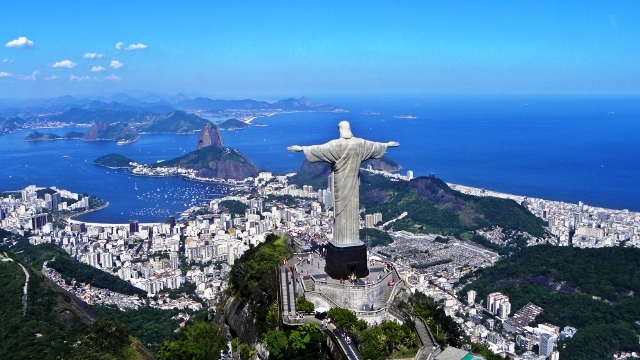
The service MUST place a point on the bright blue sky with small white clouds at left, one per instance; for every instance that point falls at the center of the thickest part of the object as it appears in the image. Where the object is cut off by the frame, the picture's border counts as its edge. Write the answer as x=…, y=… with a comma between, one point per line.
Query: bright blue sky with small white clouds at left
x=275, y=49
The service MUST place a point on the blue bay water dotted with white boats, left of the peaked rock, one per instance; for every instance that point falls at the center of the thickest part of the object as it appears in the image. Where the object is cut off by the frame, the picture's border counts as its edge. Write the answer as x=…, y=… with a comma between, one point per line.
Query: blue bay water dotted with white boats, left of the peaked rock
x=44, y=164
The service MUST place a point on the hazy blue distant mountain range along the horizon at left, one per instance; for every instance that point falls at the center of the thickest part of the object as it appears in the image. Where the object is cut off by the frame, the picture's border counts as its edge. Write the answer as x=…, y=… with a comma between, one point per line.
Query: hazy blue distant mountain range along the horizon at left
x=66, y=110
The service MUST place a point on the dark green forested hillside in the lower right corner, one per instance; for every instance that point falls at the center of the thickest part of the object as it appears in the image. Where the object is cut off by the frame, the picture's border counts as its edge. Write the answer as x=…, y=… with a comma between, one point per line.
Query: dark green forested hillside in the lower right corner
x=594, y=290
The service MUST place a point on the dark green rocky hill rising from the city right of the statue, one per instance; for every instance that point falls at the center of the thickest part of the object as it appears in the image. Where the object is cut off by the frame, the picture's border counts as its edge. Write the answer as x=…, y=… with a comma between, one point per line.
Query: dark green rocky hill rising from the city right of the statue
x=433, y=207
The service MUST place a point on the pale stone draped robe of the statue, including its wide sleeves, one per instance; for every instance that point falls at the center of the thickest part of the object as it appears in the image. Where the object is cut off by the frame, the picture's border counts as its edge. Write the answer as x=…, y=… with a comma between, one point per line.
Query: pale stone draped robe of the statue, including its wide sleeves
x=345, y=156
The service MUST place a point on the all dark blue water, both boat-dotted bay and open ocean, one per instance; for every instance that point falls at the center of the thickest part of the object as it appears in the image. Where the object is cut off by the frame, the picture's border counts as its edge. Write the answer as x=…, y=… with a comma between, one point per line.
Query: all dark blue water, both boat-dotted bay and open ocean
x=559, y=148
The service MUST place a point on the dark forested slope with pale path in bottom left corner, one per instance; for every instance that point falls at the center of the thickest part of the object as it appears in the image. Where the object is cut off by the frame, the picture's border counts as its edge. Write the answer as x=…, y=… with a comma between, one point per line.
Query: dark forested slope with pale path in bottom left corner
x=56, y=325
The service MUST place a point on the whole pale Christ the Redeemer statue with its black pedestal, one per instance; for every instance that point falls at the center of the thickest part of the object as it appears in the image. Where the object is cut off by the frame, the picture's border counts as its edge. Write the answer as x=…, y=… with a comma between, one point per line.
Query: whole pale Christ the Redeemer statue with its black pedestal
x=346, y=254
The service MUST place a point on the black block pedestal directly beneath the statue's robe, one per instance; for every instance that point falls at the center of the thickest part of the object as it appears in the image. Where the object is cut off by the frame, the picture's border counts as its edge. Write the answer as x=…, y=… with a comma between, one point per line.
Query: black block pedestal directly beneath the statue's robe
x=343, y=260
